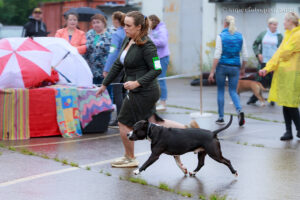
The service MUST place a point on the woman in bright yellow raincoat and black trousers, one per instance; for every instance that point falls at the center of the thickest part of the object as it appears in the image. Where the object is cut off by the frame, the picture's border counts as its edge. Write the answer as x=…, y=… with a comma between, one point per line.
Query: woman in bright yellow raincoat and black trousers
x=285, y=87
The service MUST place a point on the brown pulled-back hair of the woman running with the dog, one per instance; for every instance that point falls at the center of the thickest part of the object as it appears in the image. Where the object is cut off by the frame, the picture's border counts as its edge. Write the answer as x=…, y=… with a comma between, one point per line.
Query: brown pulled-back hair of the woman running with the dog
x=140, y=19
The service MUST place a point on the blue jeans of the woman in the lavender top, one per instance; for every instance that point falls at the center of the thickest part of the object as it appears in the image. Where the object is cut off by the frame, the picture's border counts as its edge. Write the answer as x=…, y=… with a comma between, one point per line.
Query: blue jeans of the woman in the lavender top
x=162, y=83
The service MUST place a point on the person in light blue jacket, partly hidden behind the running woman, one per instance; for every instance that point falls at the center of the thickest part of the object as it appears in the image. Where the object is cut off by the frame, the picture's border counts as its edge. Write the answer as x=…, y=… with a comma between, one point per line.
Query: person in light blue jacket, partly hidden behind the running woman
x=115, y=47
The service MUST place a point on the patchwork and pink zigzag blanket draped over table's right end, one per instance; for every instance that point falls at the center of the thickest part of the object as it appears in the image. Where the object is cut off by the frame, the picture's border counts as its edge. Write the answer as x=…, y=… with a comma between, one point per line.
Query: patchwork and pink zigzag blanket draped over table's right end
x=77, y=106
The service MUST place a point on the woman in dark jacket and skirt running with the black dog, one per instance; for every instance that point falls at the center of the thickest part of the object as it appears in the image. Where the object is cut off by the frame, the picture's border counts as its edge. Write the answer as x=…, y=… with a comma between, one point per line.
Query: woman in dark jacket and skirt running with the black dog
x=138, y=58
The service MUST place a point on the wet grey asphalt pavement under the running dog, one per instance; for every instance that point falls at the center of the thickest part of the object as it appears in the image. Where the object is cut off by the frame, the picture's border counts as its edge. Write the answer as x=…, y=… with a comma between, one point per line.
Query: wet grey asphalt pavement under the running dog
x=267, y=167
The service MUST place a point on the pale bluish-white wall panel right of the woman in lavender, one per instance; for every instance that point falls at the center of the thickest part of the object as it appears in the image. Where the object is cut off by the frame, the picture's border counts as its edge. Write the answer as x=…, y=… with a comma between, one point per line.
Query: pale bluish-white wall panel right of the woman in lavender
x=184, y=23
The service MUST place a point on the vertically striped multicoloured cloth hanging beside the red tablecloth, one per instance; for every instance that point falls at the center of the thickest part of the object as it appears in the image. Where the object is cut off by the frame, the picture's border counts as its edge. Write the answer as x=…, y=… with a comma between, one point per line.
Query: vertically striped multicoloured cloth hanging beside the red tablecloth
x=14, y=114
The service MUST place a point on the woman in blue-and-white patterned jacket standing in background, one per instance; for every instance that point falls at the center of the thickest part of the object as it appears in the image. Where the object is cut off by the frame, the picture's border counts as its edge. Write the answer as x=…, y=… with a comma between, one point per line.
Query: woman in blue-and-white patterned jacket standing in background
x=98, y=43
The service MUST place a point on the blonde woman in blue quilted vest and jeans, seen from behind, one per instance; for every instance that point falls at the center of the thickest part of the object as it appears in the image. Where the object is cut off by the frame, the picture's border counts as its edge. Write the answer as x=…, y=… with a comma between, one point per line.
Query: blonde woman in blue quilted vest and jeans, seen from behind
x=229, y=45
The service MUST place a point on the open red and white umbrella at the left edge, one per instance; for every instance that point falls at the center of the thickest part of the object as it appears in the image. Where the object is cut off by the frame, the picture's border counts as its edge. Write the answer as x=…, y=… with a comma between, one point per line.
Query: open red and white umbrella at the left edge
x=23, y=63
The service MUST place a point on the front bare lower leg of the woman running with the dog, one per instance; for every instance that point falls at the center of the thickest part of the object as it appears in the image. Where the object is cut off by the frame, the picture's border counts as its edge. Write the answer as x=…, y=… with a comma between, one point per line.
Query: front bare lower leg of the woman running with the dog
x=128, y=145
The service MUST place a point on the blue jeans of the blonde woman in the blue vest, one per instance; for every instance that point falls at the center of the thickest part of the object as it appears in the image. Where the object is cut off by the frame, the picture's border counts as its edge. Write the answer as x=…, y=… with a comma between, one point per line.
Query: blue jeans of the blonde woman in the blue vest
x=233, y=74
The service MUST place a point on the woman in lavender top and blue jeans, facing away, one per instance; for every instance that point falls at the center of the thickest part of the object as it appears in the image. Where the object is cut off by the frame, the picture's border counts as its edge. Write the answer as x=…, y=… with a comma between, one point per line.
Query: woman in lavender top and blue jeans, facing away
x=159, y=36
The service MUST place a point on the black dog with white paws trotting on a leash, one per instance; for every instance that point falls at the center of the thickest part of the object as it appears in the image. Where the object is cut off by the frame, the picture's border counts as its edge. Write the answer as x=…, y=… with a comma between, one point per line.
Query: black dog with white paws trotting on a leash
x=175, y=142
